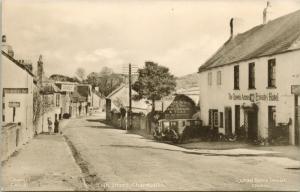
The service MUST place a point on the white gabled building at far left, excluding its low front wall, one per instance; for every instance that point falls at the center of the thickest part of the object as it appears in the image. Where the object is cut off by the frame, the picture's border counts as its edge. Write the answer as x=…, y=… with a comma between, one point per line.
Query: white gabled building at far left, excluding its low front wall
x=17, y=93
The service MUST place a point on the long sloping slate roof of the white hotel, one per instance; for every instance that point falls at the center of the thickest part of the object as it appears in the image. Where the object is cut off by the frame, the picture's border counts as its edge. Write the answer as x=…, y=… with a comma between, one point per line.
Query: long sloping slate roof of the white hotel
x=277, y=36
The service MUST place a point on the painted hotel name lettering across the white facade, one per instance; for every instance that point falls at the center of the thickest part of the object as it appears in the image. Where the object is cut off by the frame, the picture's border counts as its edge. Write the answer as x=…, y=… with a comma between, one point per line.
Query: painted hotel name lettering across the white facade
x=254, y=97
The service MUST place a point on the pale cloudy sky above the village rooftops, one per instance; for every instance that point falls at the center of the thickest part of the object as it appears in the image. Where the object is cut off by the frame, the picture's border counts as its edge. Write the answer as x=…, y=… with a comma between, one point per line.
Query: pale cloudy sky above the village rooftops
x=179, y=34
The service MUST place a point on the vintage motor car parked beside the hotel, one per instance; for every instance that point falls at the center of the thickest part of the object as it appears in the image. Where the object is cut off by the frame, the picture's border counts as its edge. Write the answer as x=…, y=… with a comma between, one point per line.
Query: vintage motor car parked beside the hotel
x=175, y=130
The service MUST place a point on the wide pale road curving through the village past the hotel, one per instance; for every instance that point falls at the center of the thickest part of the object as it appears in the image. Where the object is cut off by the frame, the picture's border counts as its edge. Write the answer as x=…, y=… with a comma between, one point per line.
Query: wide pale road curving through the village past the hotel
x=121, y=161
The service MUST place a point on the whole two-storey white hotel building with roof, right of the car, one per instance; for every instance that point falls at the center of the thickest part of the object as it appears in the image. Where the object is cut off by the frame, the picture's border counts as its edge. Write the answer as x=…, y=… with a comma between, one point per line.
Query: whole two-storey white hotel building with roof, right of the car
x=250, y=86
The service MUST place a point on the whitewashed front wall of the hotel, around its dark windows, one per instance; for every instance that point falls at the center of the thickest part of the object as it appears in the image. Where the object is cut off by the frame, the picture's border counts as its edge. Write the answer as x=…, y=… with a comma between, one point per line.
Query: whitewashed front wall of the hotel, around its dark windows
x=217, y=96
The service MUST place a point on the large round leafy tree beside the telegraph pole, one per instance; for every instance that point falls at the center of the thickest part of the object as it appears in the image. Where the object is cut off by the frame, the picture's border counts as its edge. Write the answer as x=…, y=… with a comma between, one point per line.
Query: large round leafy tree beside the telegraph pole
x=154, y=82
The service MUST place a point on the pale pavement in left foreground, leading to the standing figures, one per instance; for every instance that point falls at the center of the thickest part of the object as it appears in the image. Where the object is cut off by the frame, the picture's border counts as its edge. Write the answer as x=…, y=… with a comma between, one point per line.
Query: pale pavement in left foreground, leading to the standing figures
x=45, y=163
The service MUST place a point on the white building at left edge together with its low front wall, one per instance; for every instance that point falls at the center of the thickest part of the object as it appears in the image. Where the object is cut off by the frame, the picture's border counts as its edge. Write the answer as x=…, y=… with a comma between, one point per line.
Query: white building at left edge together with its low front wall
x=17, y=82
